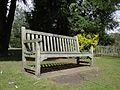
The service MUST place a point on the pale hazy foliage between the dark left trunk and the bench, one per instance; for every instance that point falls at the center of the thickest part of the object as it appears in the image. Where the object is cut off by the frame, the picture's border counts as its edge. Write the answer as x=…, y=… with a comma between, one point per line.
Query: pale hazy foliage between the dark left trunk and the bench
x=19, y=21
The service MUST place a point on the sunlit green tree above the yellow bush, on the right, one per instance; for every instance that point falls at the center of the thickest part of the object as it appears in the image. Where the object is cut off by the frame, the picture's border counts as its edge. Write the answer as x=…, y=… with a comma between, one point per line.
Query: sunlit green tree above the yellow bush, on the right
x=93, y=16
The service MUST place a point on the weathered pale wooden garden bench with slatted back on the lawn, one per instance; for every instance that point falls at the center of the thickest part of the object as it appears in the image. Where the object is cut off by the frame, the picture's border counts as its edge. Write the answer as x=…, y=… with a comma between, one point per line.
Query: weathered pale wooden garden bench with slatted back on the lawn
x=40, y=45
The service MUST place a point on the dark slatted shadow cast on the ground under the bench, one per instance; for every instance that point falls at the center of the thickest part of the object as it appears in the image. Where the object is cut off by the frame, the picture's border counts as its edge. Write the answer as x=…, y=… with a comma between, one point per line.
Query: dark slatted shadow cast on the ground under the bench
x=56, y=67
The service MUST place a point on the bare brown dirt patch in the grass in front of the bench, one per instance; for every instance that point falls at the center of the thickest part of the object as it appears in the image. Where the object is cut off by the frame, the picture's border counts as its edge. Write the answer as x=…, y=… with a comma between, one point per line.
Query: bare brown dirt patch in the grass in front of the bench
x=76, y=78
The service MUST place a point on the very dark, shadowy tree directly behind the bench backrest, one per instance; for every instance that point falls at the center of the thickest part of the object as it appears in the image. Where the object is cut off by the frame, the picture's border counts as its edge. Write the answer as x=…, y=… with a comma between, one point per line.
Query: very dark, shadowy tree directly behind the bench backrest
x=50, y=16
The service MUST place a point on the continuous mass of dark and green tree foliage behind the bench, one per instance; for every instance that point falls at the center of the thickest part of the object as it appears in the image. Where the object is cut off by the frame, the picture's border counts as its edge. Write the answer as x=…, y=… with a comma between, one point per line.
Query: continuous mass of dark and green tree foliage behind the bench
x=71, y=17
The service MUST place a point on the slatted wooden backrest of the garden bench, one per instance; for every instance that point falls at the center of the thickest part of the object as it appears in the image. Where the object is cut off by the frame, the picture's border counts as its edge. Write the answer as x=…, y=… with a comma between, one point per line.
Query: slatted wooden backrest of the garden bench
x=50, y=42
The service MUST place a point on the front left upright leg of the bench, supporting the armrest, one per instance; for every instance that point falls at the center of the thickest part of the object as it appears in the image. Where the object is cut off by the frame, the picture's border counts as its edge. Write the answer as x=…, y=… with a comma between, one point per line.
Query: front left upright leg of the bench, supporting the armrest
x=37, y=60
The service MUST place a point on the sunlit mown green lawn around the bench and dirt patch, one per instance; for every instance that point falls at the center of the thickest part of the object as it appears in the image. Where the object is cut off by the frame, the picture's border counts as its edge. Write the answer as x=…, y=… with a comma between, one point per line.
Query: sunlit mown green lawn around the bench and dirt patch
x=13, y=78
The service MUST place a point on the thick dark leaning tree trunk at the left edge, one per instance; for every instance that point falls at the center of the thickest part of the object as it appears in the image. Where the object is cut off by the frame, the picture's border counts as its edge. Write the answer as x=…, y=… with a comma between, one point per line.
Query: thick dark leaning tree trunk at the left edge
x=7, y=11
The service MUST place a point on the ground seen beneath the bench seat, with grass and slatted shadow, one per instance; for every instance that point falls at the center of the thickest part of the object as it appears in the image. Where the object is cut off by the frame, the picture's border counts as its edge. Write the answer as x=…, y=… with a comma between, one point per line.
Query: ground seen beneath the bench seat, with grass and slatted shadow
x=57, y=65
